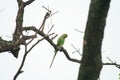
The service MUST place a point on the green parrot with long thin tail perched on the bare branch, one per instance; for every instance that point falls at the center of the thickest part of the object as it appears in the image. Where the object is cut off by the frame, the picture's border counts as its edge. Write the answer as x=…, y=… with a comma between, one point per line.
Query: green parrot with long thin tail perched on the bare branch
x=60, y=43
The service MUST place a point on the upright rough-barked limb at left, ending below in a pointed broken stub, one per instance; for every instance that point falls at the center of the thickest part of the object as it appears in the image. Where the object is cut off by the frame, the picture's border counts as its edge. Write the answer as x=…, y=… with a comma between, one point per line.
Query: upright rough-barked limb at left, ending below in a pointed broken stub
x=18, y=29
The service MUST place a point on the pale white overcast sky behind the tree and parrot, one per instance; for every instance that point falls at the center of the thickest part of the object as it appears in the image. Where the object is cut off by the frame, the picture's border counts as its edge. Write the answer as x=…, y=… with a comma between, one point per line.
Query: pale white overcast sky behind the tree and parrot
x=72, y=15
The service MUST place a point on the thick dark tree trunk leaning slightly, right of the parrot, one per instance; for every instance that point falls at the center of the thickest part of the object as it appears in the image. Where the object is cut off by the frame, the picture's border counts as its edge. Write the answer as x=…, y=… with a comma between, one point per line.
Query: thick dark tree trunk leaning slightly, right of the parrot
x=91, y=63
